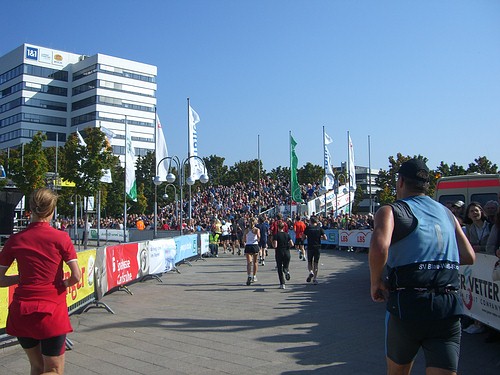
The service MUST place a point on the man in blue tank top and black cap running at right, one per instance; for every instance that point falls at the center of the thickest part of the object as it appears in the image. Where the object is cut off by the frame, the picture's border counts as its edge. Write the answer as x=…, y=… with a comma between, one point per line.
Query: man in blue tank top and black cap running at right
x=418, y=244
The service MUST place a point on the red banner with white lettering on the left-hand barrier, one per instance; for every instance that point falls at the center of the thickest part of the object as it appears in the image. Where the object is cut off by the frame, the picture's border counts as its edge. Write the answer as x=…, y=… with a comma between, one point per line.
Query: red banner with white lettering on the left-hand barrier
x=122, y=265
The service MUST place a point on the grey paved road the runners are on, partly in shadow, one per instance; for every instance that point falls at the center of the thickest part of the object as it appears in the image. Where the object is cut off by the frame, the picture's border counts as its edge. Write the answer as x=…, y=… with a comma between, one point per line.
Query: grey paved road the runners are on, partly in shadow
x=205, y=320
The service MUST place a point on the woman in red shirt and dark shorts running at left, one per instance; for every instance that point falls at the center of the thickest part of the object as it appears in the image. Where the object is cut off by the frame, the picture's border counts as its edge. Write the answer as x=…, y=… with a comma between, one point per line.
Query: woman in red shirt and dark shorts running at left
x=38, y=314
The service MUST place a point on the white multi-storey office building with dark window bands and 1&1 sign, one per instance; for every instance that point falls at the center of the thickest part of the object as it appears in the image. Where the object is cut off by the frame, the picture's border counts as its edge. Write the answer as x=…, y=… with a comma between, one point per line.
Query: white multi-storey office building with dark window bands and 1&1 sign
x=58, y=93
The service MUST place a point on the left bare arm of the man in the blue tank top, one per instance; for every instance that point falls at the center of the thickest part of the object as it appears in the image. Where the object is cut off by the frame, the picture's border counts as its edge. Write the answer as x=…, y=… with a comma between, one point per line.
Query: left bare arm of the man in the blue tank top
x=379, y=250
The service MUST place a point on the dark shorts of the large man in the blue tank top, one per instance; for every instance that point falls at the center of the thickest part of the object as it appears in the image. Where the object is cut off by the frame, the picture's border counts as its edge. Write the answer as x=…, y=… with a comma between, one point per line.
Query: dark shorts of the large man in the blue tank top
x=439, y=339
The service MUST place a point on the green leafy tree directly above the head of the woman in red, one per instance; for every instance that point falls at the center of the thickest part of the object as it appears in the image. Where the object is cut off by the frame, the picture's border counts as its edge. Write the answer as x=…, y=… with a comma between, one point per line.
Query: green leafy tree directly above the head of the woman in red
x=29, y=171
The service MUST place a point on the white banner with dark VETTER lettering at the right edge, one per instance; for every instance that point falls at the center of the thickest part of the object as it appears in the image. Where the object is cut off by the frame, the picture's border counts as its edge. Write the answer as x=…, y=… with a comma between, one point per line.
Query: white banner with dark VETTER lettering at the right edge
x=480, y=293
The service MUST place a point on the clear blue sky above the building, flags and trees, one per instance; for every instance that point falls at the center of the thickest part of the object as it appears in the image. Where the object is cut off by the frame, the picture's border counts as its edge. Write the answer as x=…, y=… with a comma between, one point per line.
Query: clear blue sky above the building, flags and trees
x=418, y=77
